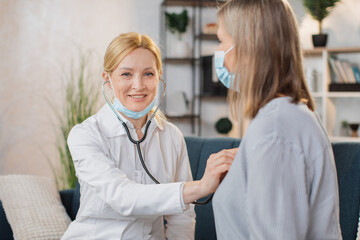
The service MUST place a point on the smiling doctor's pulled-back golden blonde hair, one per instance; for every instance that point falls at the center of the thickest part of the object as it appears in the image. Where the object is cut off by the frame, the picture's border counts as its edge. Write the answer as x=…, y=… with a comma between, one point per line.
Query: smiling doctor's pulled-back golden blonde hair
x=124, y=44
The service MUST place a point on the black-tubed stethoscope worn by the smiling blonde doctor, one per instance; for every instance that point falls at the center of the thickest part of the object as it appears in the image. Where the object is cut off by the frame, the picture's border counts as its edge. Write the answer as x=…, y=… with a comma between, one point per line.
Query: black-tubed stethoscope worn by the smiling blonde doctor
x=137, y=142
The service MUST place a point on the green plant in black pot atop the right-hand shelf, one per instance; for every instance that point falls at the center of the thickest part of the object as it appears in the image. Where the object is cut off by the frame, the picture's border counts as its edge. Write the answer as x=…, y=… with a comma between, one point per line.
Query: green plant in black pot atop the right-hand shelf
x=319, y=10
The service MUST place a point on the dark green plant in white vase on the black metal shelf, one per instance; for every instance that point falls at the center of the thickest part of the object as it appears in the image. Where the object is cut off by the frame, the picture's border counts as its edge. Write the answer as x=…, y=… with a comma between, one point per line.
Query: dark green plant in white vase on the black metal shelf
x=177, y=24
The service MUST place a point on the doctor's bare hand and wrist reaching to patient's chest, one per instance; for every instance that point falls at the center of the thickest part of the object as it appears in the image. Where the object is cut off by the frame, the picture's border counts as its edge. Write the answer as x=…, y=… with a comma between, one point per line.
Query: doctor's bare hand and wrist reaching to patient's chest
x=217, y=166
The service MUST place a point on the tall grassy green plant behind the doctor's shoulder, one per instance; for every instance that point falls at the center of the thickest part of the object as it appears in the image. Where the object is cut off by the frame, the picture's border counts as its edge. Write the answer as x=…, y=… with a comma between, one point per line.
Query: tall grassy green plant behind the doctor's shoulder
x=80, y=99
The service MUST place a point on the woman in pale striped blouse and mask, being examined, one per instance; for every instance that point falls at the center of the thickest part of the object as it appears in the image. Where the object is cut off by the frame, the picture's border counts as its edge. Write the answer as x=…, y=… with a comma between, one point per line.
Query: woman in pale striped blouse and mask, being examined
x=283, y=181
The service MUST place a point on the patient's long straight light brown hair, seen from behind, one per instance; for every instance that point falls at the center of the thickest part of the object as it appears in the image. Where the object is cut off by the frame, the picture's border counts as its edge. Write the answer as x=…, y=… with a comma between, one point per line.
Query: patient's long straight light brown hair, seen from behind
x=268, y=60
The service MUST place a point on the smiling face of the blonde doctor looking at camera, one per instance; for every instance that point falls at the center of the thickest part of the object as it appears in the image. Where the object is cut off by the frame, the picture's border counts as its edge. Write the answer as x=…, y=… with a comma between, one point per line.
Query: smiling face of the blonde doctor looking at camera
x=135, y=79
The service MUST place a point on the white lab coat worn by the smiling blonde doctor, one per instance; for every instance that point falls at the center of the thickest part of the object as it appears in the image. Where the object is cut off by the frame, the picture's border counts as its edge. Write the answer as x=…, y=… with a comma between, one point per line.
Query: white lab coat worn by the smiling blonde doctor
x=118, y=200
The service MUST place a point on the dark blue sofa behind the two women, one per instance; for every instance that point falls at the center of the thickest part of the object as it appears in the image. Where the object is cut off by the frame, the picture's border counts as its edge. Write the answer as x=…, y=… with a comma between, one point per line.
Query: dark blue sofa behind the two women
x=347, y=157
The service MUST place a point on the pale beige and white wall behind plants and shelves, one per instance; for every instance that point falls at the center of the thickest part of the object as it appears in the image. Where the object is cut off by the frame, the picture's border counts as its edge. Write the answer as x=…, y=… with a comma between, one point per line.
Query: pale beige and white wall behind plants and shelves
x=40, y=38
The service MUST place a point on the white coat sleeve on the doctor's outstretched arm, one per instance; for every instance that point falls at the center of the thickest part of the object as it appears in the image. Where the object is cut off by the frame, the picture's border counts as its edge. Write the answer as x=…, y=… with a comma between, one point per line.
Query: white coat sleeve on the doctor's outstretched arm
x=95, y=168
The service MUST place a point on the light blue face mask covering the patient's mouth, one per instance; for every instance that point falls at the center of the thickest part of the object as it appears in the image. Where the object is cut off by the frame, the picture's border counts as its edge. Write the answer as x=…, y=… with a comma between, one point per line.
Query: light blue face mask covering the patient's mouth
x=221, y=71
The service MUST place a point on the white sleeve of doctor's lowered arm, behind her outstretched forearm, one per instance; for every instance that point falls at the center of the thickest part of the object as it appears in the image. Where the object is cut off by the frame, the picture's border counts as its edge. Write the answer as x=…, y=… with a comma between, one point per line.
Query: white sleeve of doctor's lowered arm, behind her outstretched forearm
x=182, y=226
